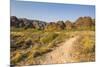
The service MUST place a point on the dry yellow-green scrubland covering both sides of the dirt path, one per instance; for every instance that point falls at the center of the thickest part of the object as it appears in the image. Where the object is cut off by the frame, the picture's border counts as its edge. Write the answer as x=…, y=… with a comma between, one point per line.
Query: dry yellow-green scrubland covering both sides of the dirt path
x=27, y=46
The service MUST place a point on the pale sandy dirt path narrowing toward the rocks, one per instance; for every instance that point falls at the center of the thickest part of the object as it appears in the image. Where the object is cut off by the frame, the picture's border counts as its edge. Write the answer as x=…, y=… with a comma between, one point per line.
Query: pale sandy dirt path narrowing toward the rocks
x=61, y=54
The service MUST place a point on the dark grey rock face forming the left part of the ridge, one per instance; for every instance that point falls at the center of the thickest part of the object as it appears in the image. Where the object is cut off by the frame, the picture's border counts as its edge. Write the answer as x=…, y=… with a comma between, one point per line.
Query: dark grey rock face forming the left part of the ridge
x=26, y=23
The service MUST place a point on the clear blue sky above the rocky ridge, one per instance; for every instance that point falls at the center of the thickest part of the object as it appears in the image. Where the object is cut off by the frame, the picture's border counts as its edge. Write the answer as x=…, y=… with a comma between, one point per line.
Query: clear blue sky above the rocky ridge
x=49, y=11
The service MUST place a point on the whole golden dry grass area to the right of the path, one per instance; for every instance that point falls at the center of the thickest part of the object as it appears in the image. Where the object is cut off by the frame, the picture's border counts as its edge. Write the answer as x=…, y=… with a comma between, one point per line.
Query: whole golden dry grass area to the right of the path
x=84, y=50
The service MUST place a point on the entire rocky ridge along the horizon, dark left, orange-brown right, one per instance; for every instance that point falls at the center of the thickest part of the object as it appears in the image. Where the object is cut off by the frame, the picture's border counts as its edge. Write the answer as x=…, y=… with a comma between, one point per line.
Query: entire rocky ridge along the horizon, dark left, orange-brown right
x=59, y=25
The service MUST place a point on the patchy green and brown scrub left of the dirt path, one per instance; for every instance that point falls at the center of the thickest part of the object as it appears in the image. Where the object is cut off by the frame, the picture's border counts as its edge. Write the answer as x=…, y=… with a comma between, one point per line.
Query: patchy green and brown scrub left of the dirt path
x=32, y=45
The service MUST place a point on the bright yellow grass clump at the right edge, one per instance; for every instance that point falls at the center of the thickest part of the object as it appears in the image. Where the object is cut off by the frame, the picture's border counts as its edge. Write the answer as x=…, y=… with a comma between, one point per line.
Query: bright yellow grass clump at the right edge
x=88, y=42
